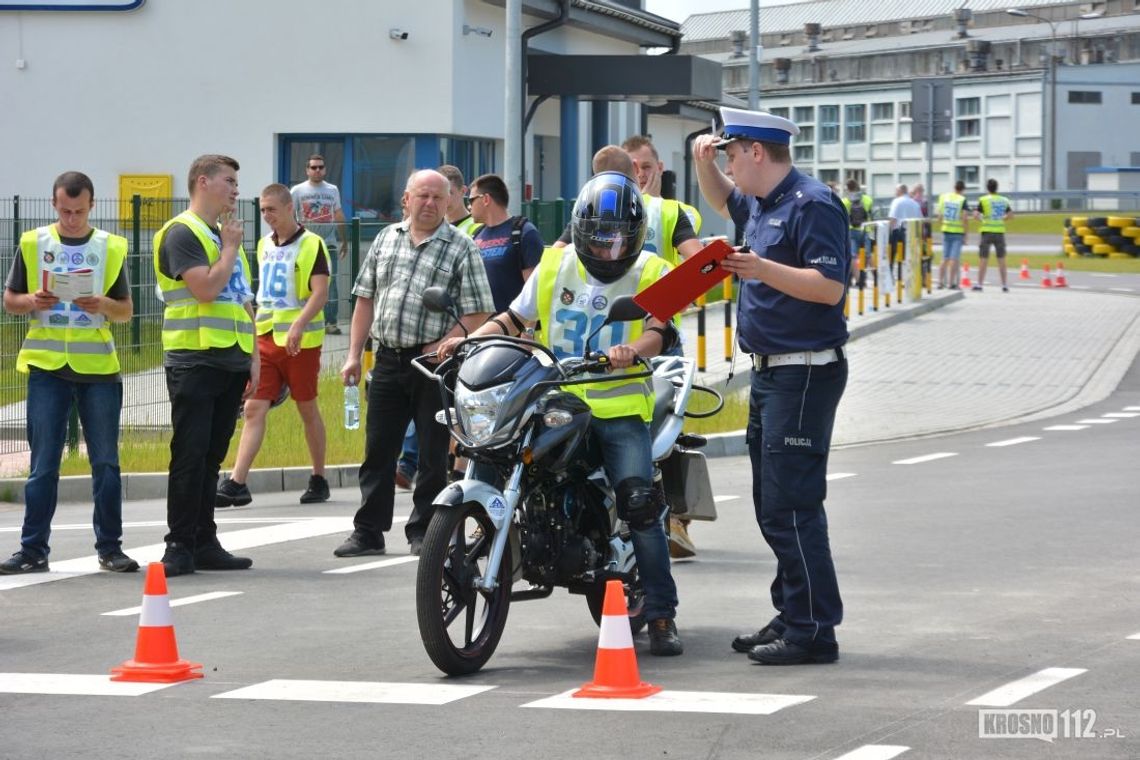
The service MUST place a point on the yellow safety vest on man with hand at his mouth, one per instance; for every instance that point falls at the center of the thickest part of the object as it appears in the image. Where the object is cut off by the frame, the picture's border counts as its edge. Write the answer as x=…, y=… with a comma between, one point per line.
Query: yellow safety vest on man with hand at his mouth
x=191, y=325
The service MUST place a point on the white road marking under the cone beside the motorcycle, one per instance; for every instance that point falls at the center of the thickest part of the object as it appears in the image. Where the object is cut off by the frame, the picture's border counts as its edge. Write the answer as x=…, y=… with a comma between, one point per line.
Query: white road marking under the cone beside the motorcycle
x=723, y=702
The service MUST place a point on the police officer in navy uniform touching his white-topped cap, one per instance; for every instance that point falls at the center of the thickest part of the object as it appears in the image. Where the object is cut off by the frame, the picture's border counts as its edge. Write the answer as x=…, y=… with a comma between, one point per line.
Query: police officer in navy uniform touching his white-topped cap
x=794, y=274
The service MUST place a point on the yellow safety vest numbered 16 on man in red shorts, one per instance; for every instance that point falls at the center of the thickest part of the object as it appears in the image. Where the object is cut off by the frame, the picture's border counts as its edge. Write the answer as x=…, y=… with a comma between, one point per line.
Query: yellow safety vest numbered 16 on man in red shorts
x=283, y=288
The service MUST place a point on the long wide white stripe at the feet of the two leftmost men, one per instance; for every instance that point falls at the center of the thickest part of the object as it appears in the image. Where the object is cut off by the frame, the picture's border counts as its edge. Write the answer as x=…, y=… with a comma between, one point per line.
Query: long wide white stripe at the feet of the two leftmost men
x=233, y=541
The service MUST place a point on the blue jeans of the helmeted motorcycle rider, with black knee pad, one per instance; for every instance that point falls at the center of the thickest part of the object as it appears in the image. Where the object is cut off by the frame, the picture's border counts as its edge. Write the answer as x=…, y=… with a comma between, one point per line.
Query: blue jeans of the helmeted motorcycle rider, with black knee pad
x=628, y=454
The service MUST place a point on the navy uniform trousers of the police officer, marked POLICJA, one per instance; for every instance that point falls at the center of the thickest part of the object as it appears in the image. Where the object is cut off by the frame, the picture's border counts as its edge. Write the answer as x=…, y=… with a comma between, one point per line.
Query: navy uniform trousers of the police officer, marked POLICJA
x=792, y=414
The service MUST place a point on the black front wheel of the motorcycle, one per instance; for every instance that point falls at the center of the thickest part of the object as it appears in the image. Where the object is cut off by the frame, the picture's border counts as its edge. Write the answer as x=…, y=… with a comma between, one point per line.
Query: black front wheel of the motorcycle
x=461, y=625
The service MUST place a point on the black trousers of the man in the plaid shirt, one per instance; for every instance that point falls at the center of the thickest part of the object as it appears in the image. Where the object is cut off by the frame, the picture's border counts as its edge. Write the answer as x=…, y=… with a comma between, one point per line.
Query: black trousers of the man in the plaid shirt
x=400, y=394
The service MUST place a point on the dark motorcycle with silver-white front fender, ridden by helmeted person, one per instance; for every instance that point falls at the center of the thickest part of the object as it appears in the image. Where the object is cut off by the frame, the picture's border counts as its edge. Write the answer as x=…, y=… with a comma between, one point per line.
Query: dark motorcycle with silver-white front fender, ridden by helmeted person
x=535, y=506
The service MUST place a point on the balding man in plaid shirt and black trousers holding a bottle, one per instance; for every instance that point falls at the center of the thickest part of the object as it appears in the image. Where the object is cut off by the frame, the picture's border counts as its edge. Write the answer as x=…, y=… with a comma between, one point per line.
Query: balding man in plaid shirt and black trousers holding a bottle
x=405, y=260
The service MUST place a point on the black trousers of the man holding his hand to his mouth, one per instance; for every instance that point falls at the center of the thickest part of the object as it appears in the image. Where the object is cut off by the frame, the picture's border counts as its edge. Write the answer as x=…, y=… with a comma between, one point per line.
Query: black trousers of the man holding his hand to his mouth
x=203, y=413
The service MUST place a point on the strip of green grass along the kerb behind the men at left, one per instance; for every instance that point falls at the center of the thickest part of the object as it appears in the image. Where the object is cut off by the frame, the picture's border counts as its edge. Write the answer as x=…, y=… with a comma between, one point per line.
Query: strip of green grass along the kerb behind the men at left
x=284, y=445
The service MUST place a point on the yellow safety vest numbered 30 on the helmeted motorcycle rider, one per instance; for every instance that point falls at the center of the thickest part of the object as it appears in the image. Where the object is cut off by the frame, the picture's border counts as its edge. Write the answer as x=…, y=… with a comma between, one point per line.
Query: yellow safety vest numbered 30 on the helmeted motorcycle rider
x=567, y=321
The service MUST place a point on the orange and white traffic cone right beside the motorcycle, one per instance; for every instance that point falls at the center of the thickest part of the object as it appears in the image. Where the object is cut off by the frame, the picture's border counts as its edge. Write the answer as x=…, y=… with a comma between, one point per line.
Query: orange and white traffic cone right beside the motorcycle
x=616, y=669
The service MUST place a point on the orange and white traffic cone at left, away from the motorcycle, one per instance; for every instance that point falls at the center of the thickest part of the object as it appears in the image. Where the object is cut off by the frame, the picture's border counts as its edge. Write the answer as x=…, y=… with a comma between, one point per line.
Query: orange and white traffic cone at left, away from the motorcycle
x=157, y=652
